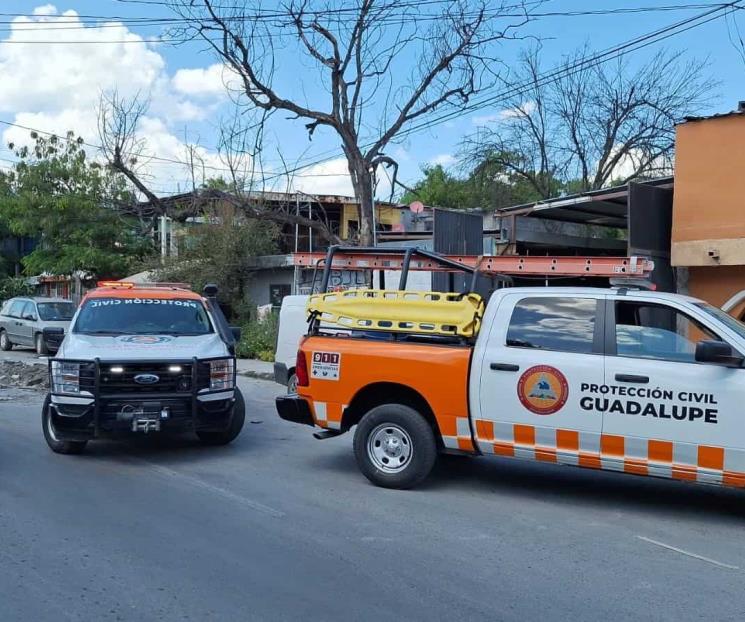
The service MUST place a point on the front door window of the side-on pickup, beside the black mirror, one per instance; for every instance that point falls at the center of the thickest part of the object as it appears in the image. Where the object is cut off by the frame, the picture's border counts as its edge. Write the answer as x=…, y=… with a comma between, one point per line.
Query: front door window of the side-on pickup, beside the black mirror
x=651, y=331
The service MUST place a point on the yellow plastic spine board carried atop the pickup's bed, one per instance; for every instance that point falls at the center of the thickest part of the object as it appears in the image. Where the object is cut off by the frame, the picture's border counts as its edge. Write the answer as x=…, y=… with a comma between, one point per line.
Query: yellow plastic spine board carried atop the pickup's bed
x=433, y=313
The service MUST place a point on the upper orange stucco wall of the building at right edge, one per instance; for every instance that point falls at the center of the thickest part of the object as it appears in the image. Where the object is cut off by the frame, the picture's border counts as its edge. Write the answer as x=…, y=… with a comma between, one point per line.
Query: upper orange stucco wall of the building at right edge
x=709, y=198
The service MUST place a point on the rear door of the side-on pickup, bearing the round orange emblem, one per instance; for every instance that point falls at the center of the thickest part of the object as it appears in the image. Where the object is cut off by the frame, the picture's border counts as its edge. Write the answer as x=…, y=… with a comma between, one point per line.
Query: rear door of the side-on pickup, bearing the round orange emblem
x=541, y=351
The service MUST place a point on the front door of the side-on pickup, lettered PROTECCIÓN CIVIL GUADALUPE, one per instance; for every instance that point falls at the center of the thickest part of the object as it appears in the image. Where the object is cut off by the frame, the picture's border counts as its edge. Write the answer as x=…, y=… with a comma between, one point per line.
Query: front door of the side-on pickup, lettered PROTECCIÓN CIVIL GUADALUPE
x=665, y=413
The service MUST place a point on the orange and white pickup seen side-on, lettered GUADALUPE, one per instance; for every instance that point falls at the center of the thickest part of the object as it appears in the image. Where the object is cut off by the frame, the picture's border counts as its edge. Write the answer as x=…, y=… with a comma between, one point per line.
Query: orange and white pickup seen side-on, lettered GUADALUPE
x=620, y=378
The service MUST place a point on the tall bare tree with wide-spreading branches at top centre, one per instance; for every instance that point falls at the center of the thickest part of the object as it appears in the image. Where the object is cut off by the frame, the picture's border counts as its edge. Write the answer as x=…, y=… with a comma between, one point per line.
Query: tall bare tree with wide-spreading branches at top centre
x=361, y=83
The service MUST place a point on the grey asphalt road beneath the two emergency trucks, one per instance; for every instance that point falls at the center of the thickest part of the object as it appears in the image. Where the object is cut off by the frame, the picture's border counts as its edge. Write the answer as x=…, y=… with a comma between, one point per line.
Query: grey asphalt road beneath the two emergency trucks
x=279, y=526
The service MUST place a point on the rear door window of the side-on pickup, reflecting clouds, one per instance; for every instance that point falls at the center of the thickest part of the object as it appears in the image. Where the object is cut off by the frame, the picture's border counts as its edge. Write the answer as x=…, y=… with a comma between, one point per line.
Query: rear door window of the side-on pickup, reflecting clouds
x=562, y=324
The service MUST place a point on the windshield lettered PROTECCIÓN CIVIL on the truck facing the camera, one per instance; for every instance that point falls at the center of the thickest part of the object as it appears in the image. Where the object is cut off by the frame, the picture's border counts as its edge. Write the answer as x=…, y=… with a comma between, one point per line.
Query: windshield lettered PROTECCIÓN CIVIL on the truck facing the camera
x=143, y=316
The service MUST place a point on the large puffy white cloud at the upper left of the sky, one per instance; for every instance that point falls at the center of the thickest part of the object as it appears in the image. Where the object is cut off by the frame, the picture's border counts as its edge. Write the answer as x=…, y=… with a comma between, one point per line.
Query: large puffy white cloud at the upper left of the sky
x=55, y=87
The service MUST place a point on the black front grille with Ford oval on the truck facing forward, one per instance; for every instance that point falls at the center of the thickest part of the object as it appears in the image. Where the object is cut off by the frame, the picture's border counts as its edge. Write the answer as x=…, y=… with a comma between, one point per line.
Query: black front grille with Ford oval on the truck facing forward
x=168, y=381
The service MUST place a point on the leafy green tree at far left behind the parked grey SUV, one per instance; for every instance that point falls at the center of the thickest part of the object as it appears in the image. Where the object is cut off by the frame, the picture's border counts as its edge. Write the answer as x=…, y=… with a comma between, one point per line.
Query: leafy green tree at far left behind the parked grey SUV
x=55, y=194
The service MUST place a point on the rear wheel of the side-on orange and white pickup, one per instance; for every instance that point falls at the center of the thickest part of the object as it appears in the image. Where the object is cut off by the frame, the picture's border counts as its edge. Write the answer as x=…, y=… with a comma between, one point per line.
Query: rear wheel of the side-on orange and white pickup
x=395, y=446
